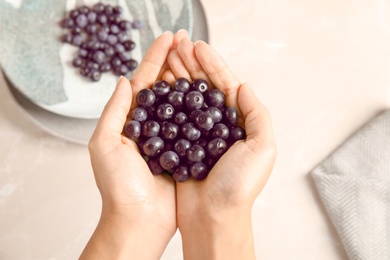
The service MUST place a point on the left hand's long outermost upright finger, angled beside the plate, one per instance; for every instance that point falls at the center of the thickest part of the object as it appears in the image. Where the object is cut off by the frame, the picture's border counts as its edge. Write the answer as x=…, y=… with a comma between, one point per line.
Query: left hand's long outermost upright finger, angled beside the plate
x=149, y=69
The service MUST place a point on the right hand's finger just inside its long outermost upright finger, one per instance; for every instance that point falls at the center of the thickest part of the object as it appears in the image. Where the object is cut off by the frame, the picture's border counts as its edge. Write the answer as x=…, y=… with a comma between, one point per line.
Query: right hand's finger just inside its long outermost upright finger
x=186, y=51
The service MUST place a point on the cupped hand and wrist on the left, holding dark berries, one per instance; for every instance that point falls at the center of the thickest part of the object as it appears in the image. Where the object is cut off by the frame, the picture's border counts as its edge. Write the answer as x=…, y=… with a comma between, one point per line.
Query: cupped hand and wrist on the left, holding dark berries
x=138, y=209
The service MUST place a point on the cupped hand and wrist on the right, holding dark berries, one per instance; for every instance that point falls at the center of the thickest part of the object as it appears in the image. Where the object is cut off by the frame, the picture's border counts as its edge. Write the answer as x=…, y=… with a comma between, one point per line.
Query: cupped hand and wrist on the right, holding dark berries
x=214, y=215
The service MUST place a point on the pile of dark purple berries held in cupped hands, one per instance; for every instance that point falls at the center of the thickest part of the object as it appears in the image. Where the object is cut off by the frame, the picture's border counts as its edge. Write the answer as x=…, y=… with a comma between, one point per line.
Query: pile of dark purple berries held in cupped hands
x=182, y=130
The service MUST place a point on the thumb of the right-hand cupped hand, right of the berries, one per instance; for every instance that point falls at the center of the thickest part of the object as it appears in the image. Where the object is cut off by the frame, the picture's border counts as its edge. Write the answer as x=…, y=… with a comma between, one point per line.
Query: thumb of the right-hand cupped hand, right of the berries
x=258, y=125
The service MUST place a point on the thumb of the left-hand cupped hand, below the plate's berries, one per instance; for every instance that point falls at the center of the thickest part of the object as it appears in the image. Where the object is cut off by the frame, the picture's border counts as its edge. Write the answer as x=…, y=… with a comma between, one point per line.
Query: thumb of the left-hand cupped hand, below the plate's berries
x=112, y=120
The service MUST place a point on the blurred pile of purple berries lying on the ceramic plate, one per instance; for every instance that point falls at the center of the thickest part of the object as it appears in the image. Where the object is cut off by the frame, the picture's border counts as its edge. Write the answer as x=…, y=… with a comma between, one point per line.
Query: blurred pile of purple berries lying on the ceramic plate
x=102, y=37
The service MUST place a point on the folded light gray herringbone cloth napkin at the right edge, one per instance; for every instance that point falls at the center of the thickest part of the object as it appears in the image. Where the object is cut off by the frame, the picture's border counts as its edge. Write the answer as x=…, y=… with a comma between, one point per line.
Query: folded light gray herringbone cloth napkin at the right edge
x=354, y=186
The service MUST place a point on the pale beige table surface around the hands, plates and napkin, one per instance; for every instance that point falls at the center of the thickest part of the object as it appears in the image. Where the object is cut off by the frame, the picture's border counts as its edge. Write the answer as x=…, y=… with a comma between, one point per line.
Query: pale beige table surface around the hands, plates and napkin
x=321, y=67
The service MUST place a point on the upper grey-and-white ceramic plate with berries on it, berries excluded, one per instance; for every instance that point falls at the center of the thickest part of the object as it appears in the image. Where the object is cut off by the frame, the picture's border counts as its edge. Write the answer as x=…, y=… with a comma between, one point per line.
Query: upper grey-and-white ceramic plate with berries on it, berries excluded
x=39, y=65
